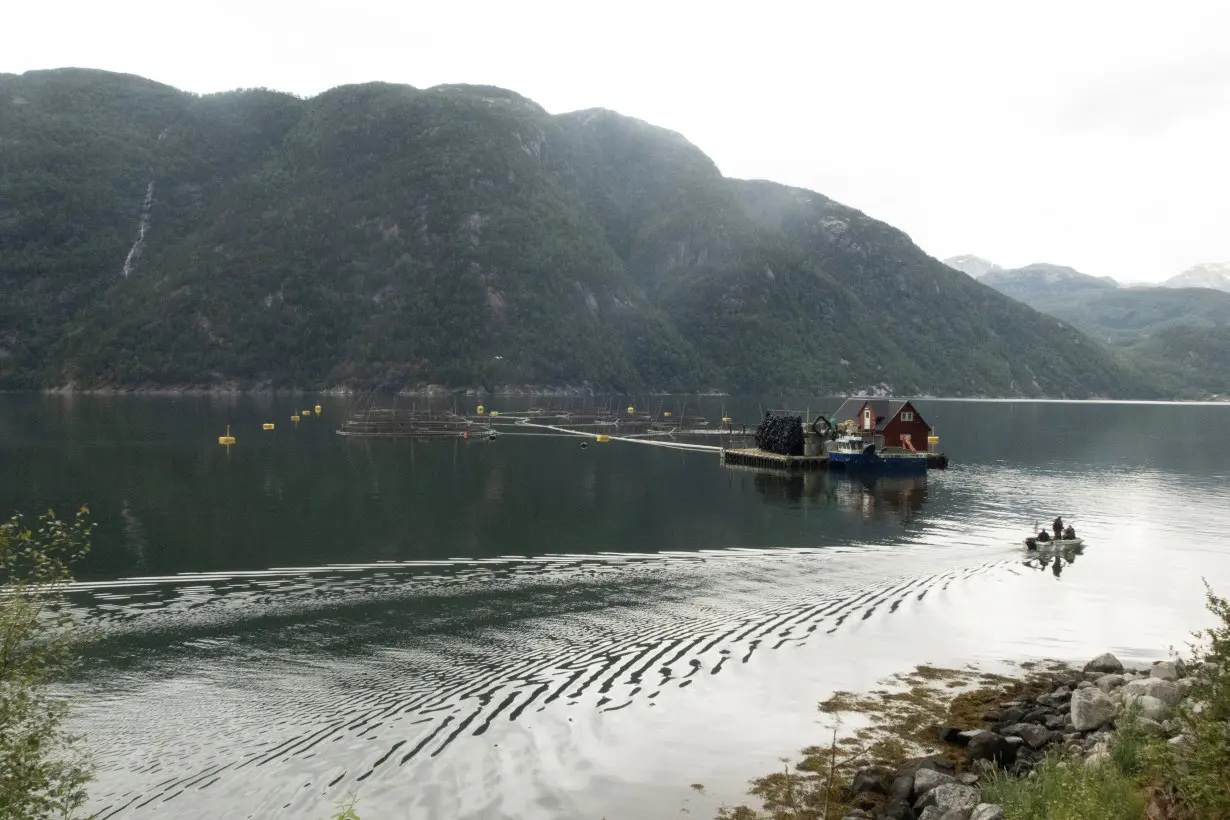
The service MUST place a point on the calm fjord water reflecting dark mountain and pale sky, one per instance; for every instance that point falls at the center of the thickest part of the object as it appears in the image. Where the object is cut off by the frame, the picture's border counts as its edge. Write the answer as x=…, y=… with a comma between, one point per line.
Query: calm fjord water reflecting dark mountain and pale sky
x=525, y=629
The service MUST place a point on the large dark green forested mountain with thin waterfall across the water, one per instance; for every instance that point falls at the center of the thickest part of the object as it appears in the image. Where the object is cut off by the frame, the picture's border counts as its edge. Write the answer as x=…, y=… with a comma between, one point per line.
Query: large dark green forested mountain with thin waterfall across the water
x=381, y=235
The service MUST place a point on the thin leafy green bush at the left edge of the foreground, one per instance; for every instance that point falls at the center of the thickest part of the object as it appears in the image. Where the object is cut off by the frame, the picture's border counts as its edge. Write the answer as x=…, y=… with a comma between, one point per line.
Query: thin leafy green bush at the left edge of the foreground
x=42, y=773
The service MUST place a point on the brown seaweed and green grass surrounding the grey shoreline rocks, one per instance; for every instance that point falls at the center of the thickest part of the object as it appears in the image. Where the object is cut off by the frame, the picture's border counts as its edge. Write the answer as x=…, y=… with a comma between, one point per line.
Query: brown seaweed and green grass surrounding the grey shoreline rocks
x=1135, y=771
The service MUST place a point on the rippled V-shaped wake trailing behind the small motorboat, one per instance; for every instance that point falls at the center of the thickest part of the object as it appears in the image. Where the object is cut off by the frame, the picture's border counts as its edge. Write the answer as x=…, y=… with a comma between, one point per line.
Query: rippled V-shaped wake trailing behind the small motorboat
x=297, y=731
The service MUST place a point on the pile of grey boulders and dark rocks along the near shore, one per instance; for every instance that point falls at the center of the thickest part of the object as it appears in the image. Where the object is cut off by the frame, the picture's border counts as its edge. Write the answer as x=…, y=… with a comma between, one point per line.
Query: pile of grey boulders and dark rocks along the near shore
x=1074, y=720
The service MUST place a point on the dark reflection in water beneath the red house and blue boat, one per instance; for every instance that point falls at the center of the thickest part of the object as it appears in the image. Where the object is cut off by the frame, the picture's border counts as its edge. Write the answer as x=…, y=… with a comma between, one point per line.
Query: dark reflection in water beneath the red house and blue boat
x=870, y=496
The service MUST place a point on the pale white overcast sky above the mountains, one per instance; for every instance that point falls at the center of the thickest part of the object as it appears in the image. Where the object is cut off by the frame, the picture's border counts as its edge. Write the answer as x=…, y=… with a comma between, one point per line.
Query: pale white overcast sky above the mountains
x=1082, y=132
